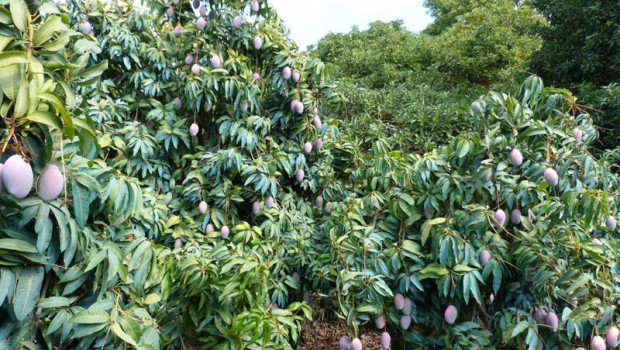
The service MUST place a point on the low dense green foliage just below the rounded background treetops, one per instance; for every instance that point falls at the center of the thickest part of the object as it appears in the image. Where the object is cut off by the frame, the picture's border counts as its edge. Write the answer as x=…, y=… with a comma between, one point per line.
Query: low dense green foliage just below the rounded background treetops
x=413, y=117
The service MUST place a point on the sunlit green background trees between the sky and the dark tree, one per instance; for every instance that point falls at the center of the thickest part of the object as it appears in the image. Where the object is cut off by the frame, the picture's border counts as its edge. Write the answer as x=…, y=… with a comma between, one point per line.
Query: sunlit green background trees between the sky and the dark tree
x=413, y=90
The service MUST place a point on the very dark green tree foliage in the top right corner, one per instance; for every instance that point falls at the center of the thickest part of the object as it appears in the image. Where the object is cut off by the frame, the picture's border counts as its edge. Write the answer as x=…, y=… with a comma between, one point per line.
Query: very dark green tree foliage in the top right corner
x=580, y=42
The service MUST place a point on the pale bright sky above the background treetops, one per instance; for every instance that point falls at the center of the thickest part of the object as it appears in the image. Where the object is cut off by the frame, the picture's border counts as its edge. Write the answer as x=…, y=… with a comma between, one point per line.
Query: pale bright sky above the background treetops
x=310, y=20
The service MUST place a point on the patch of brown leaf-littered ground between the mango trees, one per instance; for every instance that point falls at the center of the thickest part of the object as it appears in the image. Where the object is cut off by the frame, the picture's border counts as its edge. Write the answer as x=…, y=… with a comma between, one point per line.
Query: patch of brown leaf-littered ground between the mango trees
x=326, y=336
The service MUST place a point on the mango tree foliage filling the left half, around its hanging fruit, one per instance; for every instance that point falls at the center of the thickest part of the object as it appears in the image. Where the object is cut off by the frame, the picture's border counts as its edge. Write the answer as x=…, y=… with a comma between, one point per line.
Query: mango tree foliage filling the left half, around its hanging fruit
x=123, y=261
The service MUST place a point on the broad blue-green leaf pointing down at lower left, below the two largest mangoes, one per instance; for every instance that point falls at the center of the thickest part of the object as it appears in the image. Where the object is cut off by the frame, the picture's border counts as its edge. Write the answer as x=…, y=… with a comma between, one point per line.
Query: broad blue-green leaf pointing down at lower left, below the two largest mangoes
x=28, y=290
